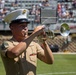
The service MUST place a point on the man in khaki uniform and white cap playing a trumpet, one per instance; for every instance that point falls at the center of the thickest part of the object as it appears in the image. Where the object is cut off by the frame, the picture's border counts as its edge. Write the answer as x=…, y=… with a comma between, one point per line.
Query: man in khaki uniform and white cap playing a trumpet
x=20, y=53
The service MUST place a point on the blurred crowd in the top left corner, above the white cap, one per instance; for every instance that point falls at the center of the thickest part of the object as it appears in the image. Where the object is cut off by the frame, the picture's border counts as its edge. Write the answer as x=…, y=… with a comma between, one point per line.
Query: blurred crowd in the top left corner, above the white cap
x=4, y=10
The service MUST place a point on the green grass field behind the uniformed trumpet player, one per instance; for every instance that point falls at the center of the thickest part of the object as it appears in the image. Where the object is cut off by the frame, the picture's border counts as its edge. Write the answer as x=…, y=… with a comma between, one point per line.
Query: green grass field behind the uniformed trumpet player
x=64, y=64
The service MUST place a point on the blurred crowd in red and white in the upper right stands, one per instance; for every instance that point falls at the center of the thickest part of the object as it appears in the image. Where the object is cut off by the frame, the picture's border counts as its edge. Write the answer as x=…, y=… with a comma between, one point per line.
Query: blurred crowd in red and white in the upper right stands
x=64, y=10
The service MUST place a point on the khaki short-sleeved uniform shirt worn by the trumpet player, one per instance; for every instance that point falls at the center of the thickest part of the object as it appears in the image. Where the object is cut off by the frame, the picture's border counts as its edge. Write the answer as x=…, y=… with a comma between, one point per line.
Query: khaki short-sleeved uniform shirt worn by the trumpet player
x=25, y=64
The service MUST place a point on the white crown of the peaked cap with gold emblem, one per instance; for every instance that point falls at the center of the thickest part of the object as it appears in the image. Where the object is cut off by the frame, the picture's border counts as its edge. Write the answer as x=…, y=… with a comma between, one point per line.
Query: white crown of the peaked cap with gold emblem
x=17, y=14
